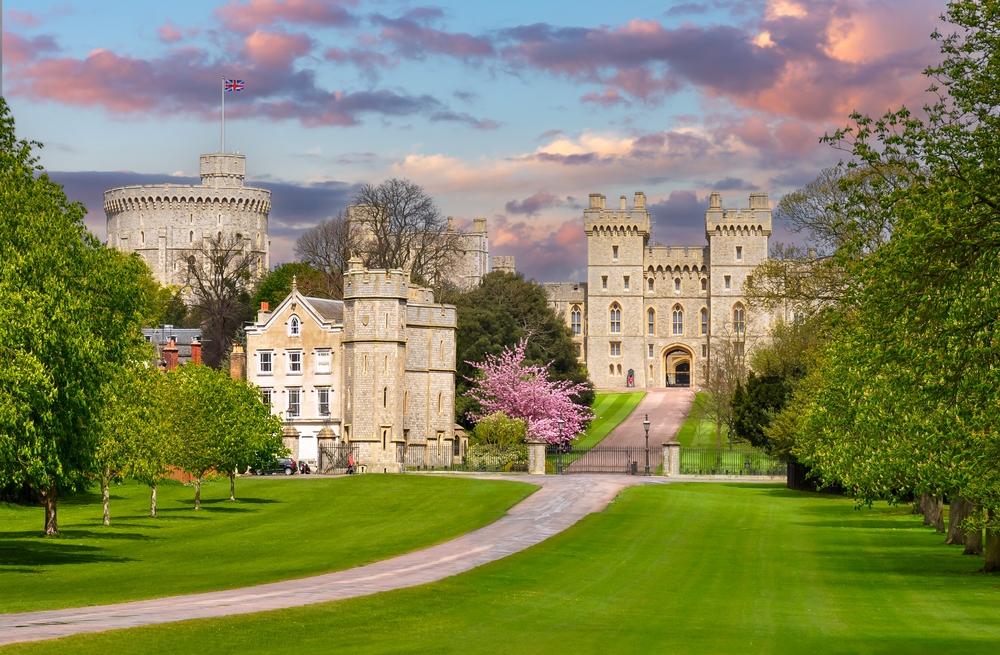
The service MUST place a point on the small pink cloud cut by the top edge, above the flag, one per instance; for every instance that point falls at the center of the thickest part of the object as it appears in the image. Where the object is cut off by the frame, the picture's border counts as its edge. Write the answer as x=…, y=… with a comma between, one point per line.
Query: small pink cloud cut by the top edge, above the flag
x=246, y=17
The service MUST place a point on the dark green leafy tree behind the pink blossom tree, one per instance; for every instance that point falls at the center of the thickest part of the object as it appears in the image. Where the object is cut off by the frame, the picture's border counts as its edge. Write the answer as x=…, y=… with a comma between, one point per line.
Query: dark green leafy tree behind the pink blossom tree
x=498, y=315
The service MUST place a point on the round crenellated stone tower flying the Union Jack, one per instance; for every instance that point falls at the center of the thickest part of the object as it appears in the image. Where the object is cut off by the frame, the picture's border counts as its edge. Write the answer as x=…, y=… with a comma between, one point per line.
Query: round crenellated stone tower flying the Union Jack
x=165, y=223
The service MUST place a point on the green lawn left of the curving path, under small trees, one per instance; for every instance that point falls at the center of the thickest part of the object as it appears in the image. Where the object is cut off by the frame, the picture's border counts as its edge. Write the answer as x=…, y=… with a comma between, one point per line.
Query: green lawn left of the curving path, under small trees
x=280, y=528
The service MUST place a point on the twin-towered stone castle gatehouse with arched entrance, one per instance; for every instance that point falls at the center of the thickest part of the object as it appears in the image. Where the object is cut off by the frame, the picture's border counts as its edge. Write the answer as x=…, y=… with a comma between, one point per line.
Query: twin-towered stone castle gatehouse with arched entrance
x=661, y=311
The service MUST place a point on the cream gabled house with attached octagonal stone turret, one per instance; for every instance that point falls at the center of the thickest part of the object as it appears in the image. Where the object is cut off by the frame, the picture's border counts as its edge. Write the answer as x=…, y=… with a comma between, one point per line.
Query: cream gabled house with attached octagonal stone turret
x=376, y=370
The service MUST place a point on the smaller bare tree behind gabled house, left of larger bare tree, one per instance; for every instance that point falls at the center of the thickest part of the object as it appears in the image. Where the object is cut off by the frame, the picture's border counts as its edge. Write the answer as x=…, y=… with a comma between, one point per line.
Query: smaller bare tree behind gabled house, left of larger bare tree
x=328, y=248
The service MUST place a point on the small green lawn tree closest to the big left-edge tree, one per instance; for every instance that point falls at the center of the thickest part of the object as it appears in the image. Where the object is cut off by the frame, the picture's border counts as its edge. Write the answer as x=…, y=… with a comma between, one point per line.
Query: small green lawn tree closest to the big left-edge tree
x=129, y=423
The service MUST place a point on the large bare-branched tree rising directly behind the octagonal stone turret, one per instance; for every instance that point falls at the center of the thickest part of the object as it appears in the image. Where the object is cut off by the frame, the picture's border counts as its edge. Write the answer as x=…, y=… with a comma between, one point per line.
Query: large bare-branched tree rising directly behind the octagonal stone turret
x=399, y=227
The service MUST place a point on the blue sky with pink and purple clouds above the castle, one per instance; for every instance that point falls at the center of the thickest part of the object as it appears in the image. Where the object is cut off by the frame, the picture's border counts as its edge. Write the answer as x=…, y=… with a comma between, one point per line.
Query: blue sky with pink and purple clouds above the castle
x=515, y=111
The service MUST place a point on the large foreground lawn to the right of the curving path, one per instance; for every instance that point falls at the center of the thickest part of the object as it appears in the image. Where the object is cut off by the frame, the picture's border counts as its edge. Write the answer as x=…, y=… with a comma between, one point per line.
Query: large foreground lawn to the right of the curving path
x=681, y=568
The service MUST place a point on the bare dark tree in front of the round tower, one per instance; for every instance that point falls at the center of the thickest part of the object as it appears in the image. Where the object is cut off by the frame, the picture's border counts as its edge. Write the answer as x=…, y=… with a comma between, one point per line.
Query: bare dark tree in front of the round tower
x=219, y=273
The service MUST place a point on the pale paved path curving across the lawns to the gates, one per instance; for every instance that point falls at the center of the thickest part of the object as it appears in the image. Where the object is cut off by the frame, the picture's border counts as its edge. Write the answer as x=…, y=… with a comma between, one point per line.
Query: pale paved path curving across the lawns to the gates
x=561, y=502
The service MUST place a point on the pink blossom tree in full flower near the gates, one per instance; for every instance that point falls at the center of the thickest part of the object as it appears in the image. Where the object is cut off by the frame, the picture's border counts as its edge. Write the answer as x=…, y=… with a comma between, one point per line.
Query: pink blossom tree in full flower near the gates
x=506, y=385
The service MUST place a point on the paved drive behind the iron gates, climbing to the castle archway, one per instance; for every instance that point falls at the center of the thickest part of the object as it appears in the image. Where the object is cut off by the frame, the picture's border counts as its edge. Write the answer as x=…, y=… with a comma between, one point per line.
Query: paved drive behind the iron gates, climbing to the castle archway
x=667, y=410
